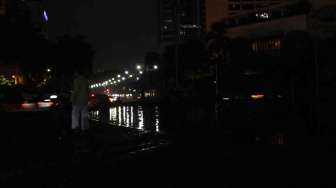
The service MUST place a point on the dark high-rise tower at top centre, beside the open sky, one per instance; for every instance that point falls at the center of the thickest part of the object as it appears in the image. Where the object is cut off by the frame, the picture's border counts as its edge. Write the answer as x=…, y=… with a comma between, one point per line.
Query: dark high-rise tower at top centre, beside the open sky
x=181, y=19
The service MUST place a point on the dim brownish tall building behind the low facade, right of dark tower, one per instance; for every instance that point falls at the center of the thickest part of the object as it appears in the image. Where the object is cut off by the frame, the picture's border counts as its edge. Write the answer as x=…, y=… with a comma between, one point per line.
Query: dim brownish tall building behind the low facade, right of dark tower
x=223, y=9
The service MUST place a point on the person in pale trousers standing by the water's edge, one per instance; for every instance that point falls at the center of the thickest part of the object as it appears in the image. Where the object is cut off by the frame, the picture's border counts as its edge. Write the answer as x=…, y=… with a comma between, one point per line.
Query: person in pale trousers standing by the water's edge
x=79, y=100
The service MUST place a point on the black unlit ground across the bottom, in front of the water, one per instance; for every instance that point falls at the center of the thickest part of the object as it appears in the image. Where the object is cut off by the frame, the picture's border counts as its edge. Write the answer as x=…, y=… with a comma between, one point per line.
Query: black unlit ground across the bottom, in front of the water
x=111, y=156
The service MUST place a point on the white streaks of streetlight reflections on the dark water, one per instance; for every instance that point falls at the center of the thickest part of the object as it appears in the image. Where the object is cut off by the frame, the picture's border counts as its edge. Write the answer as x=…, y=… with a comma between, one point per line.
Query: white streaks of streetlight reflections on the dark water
x=138, y=117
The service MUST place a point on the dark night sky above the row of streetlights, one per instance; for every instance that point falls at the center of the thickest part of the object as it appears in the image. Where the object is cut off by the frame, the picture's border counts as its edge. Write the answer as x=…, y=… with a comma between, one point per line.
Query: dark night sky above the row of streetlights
x=121, y=31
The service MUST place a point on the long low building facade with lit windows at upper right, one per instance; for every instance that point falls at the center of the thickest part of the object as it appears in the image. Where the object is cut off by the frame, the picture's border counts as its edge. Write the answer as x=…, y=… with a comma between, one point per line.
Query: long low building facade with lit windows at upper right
x=318, y=19
